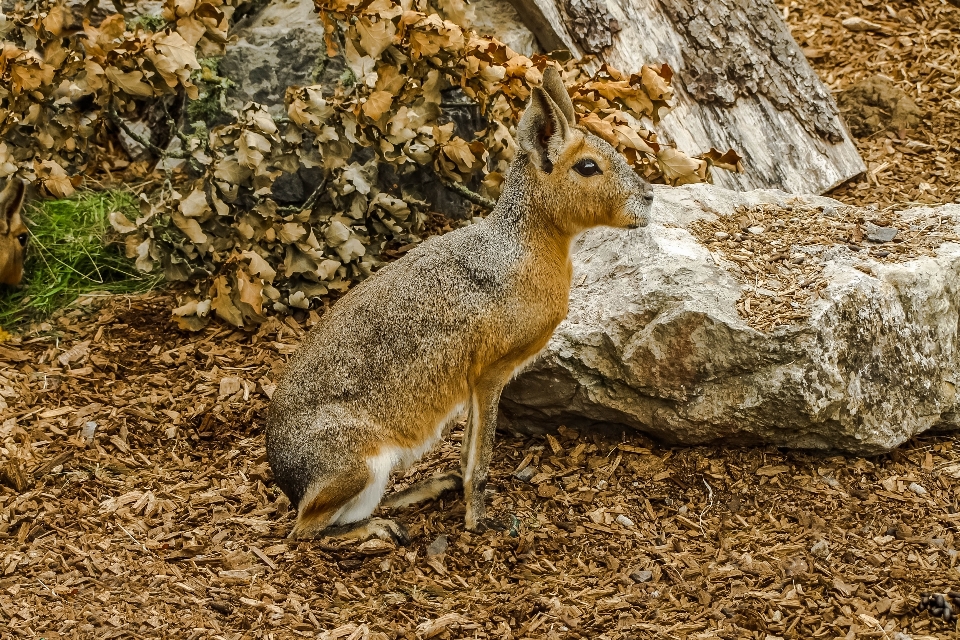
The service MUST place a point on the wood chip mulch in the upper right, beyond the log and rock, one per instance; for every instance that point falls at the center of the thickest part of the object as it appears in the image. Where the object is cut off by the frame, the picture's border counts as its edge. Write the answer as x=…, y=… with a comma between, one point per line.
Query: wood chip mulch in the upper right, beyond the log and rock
x=915, y=45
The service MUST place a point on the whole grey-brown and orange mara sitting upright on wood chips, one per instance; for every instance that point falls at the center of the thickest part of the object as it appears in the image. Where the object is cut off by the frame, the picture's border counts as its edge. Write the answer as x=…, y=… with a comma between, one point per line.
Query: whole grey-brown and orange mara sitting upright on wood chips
x=443, y=329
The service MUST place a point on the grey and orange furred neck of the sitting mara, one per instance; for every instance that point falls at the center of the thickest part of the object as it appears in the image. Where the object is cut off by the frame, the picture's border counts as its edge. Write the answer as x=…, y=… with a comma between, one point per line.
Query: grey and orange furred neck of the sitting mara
x=521, y=213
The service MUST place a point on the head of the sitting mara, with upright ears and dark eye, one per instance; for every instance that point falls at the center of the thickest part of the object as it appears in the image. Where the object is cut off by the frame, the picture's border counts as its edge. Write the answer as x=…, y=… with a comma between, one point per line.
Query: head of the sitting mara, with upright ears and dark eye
x=580, y=178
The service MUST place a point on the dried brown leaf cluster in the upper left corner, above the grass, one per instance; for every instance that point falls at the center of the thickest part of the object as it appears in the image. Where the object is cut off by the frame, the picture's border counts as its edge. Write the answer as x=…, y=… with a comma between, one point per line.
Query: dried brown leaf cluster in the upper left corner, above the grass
x=63, y=80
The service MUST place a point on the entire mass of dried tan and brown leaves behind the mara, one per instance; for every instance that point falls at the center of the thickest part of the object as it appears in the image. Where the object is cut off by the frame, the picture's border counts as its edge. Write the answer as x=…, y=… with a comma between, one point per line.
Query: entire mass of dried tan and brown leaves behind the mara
x=361, y=143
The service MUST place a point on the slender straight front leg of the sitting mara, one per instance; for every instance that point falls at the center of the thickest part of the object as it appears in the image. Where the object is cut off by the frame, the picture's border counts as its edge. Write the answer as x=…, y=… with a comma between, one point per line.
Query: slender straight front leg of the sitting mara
x=477, y=447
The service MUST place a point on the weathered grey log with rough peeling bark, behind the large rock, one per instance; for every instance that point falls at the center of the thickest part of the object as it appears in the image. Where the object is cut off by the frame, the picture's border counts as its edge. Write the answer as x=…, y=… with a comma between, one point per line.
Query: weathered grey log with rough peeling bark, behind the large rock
x=740, y=82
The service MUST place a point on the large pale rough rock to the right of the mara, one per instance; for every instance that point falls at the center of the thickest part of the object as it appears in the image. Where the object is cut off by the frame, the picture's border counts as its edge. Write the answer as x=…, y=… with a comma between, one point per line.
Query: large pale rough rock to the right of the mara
x=659, y=335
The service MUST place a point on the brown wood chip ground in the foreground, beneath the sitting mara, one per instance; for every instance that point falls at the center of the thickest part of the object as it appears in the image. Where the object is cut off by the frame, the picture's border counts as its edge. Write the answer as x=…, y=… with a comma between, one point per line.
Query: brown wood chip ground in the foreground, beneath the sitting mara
x=146, y=507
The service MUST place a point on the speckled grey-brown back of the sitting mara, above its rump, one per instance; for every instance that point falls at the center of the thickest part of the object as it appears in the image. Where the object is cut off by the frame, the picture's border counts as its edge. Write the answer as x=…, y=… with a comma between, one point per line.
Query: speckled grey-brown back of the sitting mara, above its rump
x=405, y=324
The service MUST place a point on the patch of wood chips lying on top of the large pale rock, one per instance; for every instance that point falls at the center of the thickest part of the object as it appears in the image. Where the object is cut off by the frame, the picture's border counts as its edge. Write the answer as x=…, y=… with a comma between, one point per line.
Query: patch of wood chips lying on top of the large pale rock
x=780, y=253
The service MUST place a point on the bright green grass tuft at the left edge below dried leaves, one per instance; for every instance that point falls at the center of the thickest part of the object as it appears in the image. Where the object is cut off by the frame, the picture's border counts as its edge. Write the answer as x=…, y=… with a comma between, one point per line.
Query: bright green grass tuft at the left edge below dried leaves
x=67, y=256
